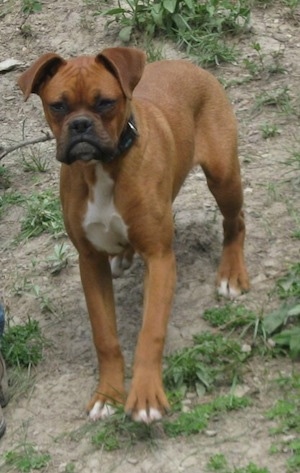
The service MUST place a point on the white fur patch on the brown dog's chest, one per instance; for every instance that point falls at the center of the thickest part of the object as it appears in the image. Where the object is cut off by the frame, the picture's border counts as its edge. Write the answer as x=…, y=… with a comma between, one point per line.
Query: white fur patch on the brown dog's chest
x=103, y=225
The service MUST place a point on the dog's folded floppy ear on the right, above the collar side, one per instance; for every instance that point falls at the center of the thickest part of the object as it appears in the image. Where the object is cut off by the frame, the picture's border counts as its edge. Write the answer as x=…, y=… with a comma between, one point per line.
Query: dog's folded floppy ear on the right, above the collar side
x=126, y=64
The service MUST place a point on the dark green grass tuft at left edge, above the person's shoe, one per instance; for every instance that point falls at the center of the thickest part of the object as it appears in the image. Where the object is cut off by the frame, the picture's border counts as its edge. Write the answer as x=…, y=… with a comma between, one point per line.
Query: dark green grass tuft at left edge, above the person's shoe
x=22, y=345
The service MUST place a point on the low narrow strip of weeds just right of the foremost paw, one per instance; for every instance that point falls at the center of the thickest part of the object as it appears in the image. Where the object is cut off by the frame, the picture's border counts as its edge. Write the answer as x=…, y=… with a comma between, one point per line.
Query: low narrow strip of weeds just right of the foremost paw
x=198, y=418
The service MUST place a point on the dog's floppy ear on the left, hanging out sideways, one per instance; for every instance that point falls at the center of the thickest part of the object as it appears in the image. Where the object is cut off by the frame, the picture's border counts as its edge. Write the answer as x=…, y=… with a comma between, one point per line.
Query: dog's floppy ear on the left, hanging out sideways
x=45, y=67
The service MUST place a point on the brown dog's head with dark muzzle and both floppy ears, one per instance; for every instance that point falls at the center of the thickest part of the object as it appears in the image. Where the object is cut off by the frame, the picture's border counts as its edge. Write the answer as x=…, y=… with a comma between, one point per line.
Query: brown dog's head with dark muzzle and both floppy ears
x=86, y=100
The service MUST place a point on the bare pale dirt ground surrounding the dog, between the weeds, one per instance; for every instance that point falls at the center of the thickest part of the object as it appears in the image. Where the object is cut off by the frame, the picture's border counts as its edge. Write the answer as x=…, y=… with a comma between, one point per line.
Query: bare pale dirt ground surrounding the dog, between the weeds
x=63, y=382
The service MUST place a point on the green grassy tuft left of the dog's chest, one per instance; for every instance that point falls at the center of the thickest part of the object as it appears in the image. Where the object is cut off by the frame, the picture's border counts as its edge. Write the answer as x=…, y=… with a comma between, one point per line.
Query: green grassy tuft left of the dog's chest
x=43, y=214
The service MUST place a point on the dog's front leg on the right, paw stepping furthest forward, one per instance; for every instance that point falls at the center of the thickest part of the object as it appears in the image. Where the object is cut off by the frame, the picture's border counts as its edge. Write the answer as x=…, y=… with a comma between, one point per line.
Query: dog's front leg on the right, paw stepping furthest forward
x=147, y=401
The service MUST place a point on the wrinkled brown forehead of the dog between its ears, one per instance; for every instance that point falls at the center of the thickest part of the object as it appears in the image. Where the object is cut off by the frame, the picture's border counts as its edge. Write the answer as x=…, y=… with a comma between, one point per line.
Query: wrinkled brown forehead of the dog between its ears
x=81, y=80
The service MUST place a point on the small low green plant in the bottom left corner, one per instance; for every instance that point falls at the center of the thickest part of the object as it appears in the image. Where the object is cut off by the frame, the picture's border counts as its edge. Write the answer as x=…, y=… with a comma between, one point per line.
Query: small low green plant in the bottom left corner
x=26, y=458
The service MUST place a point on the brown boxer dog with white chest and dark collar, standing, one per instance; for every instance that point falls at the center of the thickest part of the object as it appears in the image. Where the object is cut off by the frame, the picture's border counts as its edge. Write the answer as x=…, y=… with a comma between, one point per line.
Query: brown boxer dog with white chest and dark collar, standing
x=127, y=137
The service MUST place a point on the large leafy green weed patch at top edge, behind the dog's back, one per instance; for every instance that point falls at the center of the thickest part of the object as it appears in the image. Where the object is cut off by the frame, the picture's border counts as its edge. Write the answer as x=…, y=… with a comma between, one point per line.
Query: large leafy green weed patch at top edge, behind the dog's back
x=198, y=27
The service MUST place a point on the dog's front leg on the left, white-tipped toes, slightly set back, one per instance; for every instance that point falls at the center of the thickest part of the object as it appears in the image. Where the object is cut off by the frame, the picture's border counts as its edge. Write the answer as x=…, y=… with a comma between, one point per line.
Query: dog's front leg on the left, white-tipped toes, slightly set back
x=97, y=284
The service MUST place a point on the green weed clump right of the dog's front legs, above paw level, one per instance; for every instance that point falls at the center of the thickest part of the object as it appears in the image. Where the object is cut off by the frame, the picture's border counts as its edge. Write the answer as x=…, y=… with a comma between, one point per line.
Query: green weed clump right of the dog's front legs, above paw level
x=211, y=360
